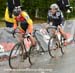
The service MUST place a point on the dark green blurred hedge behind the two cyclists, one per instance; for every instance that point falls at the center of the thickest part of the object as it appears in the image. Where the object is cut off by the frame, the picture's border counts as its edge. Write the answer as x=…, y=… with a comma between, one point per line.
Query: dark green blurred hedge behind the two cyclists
x=37, y=8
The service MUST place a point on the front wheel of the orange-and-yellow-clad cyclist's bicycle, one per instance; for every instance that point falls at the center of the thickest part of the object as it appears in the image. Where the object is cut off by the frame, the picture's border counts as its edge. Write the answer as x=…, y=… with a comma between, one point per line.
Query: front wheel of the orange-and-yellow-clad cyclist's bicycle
x=16, y=56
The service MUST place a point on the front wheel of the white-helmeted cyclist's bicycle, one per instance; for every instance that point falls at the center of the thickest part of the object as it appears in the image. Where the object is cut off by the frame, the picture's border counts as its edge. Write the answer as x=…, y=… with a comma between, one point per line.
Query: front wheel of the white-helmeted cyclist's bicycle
x=54, y=47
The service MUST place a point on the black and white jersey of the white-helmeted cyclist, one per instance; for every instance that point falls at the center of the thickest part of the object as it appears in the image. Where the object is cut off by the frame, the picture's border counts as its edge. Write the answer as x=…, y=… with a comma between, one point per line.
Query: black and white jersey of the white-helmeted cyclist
x=56, y=19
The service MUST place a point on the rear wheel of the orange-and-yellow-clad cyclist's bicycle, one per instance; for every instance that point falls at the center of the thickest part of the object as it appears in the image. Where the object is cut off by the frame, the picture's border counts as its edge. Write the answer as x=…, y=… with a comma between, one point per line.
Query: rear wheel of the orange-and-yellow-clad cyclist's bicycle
x=35, y=53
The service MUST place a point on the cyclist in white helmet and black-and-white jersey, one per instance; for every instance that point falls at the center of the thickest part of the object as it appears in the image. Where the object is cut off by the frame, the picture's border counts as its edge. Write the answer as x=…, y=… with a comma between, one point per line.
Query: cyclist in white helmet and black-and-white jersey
x=56, y=17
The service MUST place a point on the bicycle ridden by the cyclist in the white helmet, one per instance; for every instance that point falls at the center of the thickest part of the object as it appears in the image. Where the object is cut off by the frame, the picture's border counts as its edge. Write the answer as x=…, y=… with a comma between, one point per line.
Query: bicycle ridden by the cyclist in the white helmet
x=56, y=42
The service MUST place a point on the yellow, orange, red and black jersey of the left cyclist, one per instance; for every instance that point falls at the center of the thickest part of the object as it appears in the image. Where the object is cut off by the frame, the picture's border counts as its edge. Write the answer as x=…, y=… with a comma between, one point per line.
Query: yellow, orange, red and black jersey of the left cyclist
x=23, y=17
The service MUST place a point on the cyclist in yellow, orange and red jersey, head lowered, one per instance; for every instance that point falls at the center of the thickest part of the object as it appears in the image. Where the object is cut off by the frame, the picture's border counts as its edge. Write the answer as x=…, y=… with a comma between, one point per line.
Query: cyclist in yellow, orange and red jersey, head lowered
x=26, y=24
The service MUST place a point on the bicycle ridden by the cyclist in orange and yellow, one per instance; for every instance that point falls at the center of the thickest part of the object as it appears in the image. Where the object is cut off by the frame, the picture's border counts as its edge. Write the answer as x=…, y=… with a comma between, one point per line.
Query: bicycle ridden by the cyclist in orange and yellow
x=19, y=51
